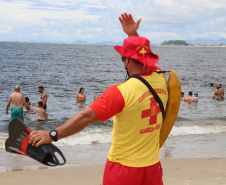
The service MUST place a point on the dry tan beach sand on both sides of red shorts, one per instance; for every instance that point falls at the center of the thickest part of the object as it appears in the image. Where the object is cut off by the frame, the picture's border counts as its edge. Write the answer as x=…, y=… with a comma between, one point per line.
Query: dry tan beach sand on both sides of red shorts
x=203, y=171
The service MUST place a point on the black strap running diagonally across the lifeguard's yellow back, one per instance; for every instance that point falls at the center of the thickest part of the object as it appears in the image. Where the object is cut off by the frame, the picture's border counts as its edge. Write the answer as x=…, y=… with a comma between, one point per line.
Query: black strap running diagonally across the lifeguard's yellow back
x=152, y=91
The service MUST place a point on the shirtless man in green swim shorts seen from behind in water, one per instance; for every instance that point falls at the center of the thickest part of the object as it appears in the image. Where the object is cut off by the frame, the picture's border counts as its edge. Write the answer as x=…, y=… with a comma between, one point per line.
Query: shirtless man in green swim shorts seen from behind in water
x=17, y=99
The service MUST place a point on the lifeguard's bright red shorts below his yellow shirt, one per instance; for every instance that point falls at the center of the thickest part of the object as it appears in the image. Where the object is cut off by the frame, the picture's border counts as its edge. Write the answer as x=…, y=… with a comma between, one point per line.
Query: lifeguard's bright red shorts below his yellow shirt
x=117, y=174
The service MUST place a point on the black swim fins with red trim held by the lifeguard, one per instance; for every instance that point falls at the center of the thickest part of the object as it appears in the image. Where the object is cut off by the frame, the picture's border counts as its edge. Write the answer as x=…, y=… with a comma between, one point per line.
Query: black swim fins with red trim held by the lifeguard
x=18, y=142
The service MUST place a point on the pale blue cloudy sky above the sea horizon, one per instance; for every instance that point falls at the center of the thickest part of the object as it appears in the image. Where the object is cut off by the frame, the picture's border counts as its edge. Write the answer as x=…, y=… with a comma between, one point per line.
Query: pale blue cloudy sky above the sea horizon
x=97, y=20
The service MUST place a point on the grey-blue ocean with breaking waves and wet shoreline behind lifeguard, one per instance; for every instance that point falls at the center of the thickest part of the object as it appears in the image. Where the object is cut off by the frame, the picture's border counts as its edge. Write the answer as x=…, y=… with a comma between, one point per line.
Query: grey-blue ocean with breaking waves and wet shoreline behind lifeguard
x=199, y=131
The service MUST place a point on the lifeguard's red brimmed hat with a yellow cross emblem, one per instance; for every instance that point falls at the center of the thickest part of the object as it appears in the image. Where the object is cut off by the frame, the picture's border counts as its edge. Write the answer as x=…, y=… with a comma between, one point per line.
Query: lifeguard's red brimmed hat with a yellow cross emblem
x=138, y=48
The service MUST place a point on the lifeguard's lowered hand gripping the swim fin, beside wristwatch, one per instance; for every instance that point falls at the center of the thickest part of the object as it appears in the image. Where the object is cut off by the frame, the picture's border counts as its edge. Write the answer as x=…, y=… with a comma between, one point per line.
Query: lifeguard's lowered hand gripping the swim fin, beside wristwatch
x=40, y=137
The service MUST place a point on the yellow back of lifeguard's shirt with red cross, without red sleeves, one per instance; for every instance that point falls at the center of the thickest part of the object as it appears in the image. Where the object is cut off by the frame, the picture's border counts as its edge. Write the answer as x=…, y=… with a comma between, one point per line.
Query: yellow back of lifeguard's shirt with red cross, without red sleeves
x=135, y=138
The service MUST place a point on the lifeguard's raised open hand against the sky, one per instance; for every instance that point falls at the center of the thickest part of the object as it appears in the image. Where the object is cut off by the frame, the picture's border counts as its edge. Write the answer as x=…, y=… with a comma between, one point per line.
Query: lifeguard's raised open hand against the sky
x=129, y=26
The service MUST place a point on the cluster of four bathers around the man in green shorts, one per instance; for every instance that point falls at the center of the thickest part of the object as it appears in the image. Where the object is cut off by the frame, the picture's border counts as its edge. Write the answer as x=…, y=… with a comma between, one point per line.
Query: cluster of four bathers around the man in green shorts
x=21, y=104
